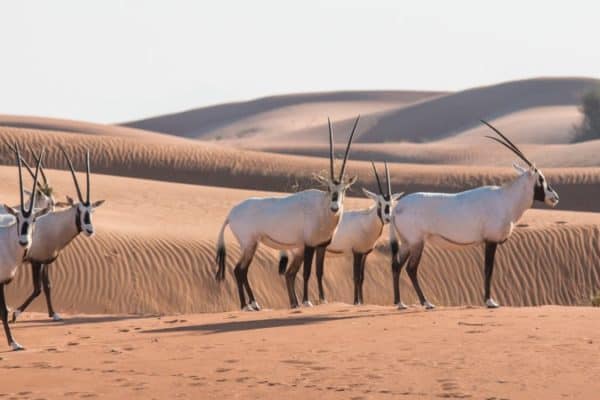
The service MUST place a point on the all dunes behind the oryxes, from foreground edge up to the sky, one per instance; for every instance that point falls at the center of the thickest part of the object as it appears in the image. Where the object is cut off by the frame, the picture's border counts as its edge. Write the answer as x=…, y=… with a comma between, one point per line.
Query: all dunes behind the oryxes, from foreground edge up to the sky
x=168, y=193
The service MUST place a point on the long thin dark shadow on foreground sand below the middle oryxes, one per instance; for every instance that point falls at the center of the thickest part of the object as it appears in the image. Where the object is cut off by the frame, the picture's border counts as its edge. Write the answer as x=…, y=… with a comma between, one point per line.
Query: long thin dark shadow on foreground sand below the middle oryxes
x=236, y=326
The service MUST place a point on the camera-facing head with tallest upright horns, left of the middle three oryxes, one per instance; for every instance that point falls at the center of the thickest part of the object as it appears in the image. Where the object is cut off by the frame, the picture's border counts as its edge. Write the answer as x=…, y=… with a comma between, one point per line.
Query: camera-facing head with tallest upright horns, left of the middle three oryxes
x=337, y=185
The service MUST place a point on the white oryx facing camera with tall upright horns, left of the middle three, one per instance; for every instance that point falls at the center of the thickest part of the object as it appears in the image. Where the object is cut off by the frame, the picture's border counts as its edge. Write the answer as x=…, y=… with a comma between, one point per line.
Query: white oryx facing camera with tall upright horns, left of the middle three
x=305, y=220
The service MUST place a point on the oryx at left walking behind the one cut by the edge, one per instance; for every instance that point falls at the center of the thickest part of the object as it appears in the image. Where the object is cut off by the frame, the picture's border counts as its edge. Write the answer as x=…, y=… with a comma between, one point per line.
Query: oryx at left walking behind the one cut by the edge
x=53, y=232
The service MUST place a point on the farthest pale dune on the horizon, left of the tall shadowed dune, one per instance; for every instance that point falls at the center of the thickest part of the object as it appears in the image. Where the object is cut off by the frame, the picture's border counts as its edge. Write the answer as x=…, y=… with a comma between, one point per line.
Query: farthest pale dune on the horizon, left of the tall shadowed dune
x=270, y=116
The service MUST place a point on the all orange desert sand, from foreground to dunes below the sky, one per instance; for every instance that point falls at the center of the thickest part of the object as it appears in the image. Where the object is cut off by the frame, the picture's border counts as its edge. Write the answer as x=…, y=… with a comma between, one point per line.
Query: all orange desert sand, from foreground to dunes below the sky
x=145, y=317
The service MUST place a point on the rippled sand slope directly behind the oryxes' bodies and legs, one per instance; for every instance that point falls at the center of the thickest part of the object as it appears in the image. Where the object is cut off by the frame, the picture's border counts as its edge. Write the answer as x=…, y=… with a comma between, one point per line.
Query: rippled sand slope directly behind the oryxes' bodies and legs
x=154, y=253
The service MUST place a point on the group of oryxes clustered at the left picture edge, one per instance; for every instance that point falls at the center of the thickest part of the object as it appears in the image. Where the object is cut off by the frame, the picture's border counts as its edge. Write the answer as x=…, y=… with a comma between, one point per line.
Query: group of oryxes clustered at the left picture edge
x=38, y=233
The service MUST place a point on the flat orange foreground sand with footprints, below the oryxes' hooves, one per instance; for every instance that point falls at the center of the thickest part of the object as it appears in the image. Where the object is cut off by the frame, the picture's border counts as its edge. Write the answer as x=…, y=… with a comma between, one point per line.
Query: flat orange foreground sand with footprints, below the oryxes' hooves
x=330, y=352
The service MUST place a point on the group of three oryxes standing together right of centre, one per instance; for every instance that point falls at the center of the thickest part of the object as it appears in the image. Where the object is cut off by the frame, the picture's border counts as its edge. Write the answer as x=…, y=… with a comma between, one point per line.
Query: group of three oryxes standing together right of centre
x=314, y=221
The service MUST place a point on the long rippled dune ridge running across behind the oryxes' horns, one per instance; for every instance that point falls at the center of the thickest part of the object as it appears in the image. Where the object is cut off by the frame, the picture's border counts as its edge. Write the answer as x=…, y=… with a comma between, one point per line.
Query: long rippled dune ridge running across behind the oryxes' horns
x=210, y=164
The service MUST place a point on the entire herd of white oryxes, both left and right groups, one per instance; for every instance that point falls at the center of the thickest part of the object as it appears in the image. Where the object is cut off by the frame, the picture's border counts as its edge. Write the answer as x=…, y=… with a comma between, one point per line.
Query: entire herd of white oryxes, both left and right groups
x=301, y=225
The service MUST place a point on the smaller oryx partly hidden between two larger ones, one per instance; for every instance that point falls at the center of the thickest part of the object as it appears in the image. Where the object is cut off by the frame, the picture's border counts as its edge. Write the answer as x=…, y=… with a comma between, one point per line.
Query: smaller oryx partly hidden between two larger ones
x=357, y=234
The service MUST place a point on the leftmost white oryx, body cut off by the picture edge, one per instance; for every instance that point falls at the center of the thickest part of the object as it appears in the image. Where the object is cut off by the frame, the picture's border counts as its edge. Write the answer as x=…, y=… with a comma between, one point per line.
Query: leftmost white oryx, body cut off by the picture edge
x=15, y=238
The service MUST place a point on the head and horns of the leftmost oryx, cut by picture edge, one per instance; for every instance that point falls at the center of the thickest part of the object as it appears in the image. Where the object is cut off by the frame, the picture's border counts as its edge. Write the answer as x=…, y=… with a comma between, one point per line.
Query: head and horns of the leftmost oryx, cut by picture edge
x=26, y=216
